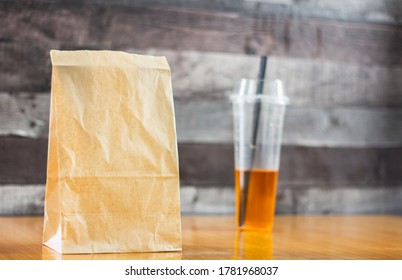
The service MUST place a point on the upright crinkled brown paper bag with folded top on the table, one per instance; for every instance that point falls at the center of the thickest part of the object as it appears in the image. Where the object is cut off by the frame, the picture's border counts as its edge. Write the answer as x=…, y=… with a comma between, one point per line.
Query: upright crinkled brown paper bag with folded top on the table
x=112, y=177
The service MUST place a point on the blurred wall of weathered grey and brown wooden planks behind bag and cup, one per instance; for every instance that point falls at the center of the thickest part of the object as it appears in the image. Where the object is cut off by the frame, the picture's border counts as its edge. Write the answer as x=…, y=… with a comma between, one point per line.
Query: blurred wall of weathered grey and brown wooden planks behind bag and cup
x=341, y=63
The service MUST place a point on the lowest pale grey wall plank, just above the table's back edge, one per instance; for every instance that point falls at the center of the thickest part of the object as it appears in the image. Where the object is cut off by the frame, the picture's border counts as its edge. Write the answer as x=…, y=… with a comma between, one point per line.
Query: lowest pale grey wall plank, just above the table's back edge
x=317, y=200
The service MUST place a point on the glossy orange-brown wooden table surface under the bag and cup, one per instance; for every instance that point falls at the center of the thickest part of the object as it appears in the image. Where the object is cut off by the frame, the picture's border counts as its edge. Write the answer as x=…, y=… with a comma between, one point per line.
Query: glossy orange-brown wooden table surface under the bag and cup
x=216, y=237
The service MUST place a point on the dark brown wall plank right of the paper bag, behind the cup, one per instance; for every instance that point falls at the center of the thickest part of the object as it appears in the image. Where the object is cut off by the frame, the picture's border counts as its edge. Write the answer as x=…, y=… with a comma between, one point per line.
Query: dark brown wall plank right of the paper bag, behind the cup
x=212, y=164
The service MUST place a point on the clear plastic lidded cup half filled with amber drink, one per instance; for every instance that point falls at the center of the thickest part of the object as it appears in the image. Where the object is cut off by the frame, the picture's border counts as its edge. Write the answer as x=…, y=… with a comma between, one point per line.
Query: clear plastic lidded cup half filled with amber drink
x=258, y=114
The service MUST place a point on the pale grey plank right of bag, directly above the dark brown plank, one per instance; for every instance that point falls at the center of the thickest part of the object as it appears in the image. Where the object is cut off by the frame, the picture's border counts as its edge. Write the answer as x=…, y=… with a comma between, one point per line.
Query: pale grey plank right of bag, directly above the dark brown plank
x=349, y=126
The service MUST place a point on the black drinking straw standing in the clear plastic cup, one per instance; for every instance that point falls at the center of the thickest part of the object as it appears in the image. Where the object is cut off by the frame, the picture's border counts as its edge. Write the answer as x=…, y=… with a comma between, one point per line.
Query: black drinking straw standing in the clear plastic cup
x=256, y=120
